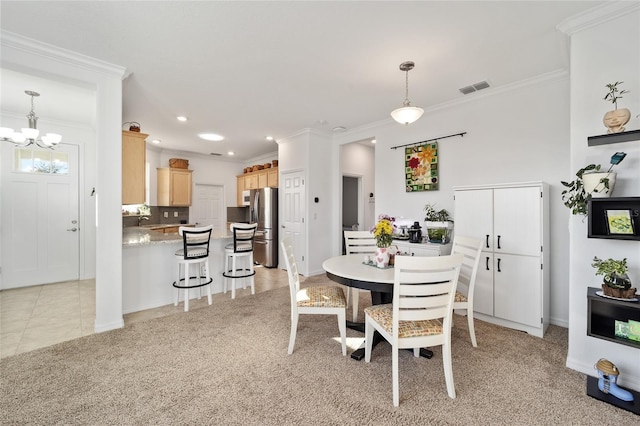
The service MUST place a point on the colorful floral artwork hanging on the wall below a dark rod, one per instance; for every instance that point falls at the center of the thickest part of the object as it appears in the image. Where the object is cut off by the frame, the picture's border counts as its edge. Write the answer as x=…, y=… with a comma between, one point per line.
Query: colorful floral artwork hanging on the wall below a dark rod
x=421, y=167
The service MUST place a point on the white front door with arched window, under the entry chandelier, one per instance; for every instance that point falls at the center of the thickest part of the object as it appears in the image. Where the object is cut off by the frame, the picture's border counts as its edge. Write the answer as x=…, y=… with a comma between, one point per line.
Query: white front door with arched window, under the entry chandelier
x=41, y=231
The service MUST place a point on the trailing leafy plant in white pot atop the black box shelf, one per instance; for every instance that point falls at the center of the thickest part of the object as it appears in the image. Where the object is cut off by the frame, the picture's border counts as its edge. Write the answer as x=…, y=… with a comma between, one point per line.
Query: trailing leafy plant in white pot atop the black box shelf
x=590, y=182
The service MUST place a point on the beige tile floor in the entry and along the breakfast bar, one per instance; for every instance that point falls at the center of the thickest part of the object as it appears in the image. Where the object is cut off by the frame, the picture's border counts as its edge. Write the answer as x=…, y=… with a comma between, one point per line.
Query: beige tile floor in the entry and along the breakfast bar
x=43, y=315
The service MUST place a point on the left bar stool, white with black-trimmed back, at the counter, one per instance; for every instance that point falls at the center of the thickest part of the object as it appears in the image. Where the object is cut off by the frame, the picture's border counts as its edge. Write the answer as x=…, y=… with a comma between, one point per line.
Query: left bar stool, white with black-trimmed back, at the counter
x=194, y=251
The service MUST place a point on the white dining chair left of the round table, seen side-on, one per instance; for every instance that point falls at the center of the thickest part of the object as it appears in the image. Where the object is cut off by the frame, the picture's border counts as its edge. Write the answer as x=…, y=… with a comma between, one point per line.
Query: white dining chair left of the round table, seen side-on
x=322, y=300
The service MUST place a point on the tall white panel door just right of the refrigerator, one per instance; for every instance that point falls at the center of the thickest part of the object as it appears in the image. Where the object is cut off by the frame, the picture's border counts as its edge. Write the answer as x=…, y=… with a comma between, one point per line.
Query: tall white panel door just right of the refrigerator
x=293, y=215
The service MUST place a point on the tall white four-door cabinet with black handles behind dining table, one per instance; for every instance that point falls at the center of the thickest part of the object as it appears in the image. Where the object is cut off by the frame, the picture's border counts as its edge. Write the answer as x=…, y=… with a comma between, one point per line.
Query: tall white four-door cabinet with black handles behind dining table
x=512, y=284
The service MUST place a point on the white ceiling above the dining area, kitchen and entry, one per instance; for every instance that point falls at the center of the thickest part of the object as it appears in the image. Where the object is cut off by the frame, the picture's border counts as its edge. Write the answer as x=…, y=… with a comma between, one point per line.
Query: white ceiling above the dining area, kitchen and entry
x=246, y=70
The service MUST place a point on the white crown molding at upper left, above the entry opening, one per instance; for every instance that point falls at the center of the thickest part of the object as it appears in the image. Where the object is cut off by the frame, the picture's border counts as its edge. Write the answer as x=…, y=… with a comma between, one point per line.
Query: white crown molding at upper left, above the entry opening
x=9, y=40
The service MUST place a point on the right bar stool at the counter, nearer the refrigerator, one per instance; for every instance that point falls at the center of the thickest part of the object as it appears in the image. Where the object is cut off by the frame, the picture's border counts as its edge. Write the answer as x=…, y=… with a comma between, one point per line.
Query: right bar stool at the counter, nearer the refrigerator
x=238, y=257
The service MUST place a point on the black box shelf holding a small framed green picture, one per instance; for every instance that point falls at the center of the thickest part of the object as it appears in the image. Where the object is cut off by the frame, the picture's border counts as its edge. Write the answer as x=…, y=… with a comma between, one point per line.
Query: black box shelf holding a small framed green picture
x=597, y=217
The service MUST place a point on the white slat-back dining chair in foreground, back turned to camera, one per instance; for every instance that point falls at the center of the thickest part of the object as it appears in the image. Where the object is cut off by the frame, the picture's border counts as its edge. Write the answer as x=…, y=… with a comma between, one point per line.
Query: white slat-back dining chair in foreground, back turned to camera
x=421, y=312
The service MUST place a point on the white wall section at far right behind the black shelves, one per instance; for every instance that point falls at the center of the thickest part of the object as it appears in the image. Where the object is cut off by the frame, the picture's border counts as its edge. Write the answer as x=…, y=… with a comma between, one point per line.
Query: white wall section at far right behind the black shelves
x=601, y=54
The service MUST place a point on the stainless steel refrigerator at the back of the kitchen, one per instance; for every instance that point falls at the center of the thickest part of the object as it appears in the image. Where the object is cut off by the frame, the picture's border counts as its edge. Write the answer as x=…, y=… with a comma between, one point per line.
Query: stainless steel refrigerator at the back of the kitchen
x=263, y=210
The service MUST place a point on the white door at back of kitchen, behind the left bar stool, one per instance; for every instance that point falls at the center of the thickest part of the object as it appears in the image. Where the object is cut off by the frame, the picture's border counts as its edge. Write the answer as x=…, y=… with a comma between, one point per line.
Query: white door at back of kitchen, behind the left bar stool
x=208, y=207
